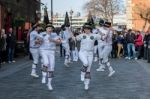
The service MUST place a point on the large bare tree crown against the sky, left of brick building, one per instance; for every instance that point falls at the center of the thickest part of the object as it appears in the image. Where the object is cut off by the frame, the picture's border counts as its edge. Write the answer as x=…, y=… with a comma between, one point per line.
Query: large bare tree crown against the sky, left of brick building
x=105, y=9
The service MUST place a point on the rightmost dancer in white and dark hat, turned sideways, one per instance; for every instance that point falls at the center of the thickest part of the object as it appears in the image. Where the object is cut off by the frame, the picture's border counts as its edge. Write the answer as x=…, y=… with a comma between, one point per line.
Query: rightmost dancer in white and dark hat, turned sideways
x=106, y=34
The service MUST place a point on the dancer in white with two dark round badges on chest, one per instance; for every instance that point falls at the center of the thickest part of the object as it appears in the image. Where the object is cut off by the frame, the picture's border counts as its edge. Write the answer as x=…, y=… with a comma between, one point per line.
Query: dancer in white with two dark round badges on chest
x=86, y=52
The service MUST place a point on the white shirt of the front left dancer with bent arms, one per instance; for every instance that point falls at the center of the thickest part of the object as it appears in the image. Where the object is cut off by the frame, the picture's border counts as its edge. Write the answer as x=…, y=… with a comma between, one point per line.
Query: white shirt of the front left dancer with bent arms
x=46, y=44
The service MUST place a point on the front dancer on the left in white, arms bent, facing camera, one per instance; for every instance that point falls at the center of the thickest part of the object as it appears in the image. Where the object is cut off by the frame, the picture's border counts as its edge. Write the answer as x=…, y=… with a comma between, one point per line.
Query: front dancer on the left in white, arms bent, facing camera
x=47, y=49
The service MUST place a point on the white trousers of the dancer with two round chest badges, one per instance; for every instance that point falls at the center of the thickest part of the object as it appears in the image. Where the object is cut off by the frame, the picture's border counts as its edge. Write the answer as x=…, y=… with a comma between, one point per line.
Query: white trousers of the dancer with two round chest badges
x=86, y=58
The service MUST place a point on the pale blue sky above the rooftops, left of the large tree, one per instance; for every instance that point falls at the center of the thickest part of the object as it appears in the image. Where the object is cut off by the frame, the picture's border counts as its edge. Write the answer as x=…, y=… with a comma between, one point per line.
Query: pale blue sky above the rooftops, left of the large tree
x=61, y=6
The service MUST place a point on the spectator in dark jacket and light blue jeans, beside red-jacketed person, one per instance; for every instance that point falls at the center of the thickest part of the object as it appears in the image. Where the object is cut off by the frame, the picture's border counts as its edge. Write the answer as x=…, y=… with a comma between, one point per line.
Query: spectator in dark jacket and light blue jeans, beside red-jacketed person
x=130, y=38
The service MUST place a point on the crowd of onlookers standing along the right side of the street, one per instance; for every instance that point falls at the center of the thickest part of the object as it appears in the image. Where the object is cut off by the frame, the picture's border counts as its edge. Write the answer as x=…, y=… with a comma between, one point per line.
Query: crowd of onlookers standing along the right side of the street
x=129, y=43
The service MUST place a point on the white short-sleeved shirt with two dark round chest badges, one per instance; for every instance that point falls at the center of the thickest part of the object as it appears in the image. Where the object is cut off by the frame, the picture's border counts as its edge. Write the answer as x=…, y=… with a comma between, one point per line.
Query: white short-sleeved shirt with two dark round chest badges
x=87, y=41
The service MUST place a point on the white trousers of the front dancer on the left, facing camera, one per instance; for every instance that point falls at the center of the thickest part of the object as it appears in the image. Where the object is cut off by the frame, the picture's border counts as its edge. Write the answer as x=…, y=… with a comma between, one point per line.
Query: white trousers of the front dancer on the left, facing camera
x=48, y=57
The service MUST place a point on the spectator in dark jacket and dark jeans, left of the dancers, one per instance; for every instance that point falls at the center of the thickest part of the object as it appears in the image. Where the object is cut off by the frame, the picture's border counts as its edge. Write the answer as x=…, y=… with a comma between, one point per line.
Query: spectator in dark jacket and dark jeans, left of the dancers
x=11, y=43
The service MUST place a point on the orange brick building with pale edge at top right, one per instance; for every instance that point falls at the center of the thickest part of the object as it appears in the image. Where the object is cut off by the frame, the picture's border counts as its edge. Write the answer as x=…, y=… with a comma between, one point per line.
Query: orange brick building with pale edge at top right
x=133, y=19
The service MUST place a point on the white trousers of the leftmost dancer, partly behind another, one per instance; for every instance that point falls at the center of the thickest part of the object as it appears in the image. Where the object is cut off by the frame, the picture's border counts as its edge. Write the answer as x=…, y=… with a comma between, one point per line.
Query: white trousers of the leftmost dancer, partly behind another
x=35, y=54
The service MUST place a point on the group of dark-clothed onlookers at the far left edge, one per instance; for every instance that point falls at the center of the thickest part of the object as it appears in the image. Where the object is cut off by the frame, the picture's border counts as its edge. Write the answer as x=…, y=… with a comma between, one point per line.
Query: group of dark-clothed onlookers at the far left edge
x=7, y=46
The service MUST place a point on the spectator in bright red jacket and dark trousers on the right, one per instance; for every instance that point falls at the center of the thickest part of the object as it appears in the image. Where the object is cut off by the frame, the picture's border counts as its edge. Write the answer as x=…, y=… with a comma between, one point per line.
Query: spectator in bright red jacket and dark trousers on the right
x=139, y=44
